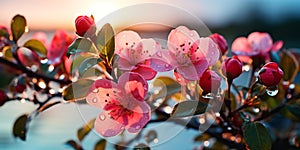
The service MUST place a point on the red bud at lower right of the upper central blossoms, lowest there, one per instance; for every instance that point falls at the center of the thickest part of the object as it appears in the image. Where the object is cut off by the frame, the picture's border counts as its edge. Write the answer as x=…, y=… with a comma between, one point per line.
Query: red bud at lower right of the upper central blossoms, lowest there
x=210, y=81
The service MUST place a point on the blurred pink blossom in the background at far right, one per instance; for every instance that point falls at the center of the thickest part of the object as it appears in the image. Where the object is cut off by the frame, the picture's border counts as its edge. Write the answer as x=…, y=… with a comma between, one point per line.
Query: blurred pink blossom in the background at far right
x=257, y=44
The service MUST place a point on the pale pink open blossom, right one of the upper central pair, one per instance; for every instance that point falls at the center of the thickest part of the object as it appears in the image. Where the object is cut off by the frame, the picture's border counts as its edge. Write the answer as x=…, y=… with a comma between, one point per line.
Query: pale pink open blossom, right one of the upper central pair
x=189, y=54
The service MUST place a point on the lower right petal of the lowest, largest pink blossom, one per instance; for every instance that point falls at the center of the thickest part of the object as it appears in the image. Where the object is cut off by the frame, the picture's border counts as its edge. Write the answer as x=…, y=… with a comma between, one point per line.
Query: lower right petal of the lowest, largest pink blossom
x=140, y=117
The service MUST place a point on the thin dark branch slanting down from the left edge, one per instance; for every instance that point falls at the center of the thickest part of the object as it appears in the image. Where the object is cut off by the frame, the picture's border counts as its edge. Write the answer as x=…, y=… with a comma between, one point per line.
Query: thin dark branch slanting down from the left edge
x=31, y=73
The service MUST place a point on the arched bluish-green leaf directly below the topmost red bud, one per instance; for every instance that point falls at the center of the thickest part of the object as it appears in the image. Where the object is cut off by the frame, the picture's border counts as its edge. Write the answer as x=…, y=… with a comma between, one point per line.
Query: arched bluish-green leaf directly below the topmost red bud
x=81, y=45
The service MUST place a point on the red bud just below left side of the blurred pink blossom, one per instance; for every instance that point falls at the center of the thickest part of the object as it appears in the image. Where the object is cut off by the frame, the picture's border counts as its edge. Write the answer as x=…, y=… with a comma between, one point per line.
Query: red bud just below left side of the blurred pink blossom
x=232, y=67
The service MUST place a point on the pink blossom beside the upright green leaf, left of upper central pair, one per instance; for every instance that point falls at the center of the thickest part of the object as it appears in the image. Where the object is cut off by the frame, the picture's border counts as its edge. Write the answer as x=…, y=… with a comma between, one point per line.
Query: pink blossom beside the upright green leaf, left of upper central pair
x=135, y=53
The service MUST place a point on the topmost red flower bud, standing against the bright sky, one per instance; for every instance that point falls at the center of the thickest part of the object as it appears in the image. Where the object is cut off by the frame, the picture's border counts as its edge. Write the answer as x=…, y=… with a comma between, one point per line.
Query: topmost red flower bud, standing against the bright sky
x=85, y=24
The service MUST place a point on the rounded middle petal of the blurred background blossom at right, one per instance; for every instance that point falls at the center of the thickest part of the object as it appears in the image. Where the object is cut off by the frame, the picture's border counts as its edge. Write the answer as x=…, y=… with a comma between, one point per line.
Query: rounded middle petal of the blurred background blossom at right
x=261, y=42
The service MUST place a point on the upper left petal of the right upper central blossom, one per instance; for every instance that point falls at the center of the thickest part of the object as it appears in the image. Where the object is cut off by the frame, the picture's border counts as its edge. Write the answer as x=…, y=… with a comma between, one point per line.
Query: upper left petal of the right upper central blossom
x=179, y=36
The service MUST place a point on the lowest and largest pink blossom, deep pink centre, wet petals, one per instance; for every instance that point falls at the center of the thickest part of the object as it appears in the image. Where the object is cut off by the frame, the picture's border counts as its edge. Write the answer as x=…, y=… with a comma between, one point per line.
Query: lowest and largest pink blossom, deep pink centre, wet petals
x=122, y=103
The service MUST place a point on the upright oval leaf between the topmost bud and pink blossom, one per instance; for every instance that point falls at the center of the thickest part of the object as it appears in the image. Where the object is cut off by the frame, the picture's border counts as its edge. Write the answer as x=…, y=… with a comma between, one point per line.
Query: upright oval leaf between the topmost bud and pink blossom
x=106, y=42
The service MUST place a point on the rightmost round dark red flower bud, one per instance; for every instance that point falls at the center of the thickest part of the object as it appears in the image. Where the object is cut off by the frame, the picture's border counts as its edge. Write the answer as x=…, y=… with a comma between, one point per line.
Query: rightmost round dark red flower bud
x=270, y=74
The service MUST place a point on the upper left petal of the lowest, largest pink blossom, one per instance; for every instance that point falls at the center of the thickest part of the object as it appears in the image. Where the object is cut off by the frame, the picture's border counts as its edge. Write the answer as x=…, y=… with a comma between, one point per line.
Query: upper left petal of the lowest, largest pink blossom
x=102, y=92
